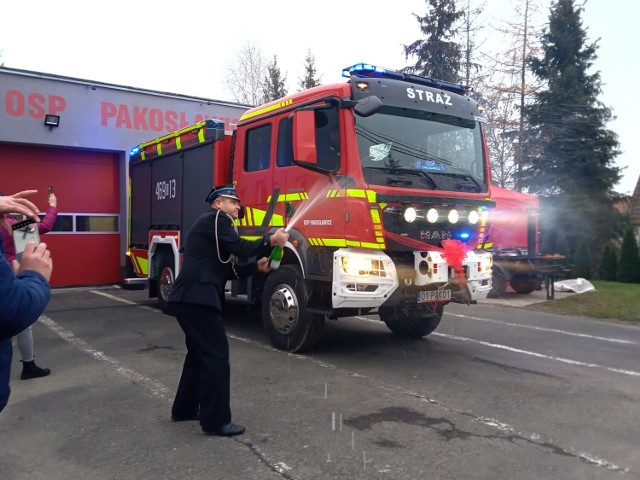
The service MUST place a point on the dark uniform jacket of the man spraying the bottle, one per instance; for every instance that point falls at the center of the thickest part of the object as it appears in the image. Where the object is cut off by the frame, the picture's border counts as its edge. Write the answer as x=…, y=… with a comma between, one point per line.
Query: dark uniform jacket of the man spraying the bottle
x=205, y=269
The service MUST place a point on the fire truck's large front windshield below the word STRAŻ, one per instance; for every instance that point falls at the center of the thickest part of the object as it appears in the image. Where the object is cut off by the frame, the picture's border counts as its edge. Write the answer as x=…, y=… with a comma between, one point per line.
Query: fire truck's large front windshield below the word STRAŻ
x=420, y=149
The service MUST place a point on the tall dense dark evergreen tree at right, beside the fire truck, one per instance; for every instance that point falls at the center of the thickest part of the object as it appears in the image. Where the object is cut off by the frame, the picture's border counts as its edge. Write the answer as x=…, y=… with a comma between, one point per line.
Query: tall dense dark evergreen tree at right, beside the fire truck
x=569, y=154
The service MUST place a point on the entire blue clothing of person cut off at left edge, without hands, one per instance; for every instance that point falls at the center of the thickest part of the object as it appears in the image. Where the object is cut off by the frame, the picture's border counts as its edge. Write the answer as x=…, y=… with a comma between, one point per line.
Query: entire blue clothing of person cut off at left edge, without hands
x=22, y=299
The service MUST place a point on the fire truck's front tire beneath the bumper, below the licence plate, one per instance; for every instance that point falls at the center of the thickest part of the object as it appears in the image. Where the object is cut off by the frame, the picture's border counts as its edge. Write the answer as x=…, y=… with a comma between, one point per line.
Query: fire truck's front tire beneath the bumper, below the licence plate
x=410, y=320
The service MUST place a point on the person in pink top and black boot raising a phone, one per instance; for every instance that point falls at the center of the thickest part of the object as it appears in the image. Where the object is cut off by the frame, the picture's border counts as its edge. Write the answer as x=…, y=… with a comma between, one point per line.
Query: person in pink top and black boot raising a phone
x=25, y=338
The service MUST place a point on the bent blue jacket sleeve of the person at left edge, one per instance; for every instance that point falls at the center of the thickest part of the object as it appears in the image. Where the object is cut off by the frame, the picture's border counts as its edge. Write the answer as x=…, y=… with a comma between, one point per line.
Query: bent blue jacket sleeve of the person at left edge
x=22, y=299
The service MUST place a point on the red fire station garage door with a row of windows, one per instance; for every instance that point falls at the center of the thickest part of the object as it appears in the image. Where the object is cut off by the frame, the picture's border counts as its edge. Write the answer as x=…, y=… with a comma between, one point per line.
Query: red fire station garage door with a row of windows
x=85, y=241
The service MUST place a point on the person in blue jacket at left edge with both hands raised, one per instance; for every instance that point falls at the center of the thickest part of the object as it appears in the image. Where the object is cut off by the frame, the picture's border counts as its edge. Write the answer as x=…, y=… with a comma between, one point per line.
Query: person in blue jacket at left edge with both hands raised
x=24, y=287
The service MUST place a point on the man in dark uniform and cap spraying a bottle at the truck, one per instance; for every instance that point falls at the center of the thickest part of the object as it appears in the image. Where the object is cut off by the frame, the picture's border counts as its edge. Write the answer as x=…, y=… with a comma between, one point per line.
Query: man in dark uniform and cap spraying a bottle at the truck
x=210, y=259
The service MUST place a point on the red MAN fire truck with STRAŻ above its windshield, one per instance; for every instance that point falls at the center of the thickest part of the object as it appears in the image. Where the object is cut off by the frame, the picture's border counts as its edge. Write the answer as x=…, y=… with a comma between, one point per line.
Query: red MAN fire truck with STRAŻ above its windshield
x=381, y=180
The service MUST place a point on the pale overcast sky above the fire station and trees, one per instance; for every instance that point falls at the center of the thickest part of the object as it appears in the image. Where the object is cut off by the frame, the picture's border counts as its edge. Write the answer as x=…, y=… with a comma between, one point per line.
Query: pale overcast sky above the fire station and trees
x=186, y=47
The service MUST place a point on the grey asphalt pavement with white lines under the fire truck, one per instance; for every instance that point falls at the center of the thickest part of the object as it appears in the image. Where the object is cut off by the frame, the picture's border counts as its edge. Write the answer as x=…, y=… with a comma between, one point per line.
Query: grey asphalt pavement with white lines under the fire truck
x=495, y=393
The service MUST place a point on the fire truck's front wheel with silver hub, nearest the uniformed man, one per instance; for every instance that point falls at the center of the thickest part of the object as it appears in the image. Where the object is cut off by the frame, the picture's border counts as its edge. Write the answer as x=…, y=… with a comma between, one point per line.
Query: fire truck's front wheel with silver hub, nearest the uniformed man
x=284, y=311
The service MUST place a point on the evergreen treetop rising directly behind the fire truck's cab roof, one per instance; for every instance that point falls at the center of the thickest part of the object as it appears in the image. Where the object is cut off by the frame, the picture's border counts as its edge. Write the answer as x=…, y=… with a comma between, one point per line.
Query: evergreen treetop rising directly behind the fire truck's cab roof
x=438, y=55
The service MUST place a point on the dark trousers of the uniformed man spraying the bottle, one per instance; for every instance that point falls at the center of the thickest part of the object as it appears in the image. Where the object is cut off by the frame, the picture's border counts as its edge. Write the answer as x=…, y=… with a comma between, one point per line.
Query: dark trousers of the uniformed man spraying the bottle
x=206, y=375
